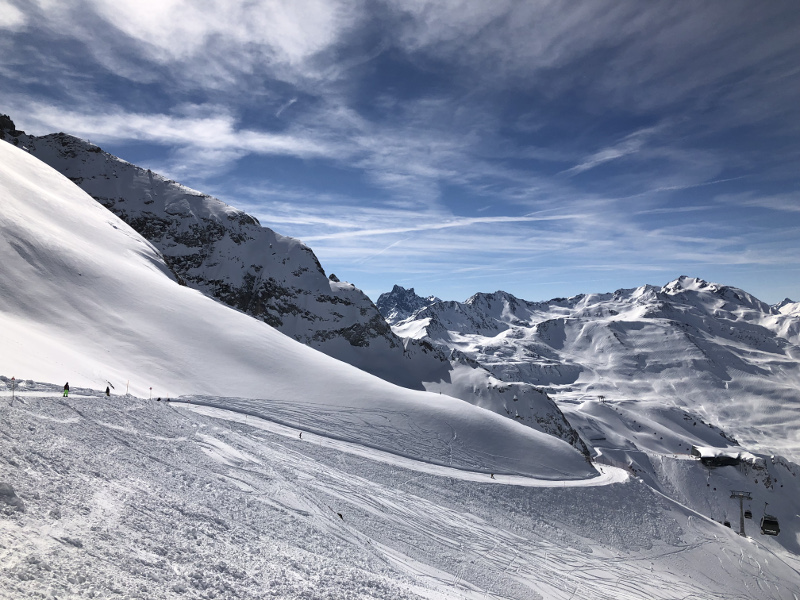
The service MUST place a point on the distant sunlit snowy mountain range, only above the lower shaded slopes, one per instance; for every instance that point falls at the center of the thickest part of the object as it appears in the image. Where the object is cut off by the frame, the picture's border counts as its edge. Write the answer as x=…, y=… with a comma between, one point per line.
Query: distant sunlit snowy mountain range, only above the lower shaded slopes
x=714, y=350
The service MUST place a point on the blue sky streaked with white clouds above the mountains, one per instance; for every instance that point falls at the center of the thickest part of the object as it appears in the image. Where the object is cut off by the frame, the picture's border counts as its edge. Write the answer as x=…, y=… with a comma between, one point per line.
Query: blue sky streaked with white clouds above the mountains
x=542, y=148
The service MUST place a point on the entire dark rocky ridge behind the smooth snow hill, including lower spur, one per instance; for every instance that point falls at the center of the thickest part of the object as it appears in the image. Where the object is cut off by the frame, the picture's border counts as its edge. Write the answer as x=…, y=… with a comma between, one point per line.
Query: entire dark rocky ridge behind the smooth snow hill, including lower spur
x=228, y=255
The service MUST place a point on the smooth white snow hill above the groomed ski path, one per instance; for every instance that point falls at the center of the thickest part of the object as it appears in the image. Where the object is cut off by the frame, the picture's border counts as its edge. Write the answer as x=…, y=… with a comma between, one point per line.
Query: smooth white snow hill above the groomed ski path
x=85, y=299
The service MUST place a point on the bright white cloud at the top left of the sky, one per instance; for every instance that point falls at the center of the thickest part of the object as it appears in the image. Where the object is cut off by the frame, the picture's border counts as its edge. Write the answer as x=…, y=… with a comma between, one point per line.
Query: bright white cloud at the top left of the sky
x=213, y=43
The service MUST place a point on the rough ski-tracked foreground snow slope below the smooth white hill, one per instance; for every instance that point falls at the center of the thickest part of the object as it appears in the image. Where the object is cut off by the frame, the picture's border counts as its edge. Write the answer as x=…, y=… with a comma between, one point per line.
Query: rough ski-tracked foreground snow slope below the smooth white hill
x=133, y=498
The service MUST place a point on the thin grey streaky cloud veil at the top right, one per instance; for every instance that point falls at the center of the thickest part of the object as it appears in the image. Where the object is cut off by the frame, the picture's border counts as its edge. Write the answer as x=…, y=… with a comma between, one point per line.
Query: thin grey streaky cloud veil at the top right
x=635, y=56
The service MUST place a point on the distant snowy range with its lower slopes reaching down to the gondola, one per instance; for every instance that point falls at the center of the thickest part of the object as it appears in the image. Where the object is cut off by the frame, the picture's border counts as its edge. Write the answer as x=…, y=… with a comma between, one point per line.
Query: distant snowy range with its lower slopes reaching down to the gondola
x=645, y=375
